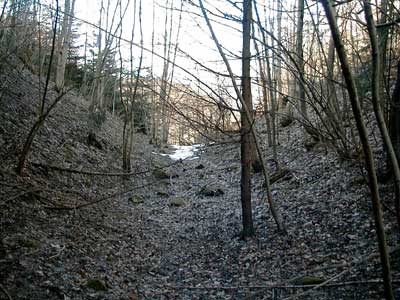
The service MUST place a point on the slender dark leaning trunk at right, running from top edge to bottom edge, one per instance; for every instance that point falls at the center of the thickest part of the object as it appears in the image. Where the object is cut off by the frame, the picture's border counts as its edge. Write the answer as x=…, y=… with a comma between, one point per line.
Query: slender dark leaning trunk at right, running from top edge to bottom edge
x=363, y=133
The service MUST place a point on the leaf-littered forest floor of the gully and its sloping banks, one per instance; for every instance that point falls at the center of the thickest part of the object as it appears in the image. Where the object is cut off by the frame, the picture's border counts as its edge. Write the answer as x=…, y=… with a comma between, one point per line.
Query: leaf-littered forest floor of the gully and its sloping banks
x=172, y=229
